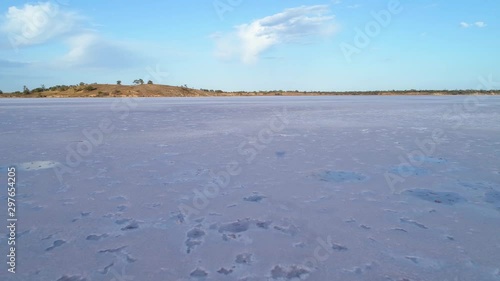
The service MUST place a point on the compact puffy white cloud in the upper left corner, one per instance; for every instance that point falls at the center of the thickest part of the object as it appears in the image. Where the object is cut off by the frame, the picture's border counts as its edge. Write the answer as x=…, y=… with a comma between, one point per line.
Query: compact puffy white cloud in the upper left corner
x=37, y=23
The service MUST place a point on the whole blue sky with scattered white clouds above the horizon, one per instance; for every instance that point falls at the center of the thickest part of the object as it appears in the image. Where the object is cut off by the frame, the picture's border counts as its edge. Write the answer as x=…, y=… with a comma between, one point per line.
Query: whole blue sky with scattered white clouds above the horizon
x=232, y=45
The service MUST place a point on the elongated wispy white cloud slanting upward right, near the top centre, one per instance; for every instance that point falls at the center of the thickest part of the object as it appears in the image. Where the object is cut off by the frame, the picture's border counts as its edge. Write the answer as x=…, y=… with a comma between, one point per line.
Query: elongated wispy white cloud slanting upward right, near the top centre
x=293, y=25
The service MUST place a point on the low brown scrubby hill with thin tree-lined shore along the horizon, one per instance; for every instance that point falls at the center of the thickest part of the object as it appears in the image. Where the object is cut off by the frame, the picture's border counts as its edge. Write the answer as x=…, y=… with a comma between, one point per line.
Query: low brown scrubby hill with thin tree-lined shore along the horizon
x=151, y=90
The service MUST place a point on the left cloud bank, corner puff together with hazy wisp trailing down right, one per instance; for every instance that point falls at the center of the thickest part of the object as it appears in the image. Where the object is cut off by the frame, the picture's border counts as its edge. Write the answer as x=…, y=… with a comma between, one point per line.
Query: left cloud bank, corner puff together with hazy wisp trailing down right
x=34, y=24
